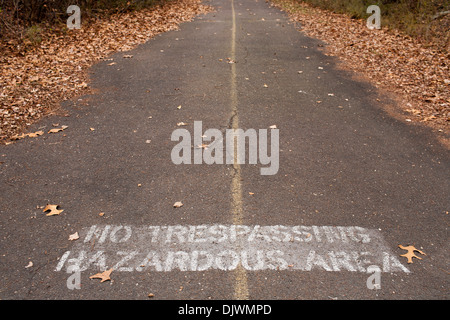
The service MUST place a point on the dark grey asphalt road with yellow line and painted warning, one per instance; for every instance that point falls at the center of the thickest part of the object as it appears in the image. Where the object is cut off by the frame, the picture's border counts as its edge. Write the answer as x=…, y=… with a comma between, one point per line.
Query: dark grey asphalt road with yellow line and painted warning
x=350, y=184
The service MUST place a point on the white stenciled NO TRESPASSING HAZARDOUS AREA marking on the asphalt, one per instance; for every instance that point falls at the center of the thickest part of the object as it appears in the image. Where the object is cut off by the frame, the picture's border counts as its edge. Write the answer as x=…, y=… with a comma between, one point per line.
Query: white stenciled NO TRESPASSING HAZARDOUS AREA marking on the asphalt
x=230, y=247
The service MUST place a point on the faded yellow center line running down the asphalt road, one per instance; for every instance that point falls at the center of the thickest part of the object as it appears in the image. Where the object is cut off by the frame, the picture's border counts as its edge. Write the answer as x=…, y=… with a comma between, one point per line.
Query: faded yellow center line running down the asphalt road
x=240, y=285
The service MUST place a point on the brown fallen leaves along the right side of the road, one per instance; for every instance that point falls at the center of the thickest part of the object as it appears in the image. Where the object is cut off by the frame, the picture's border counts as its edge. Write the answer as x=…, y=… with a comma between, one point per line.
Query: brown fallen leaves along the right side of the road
x=417, y=74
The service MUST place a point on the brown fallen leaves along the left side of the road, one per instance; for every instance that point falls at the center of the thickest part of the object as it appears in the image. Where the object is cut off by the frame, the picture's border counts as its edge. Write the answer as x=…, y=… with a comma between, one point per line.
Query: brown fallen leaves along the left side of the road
x=34, y=81
